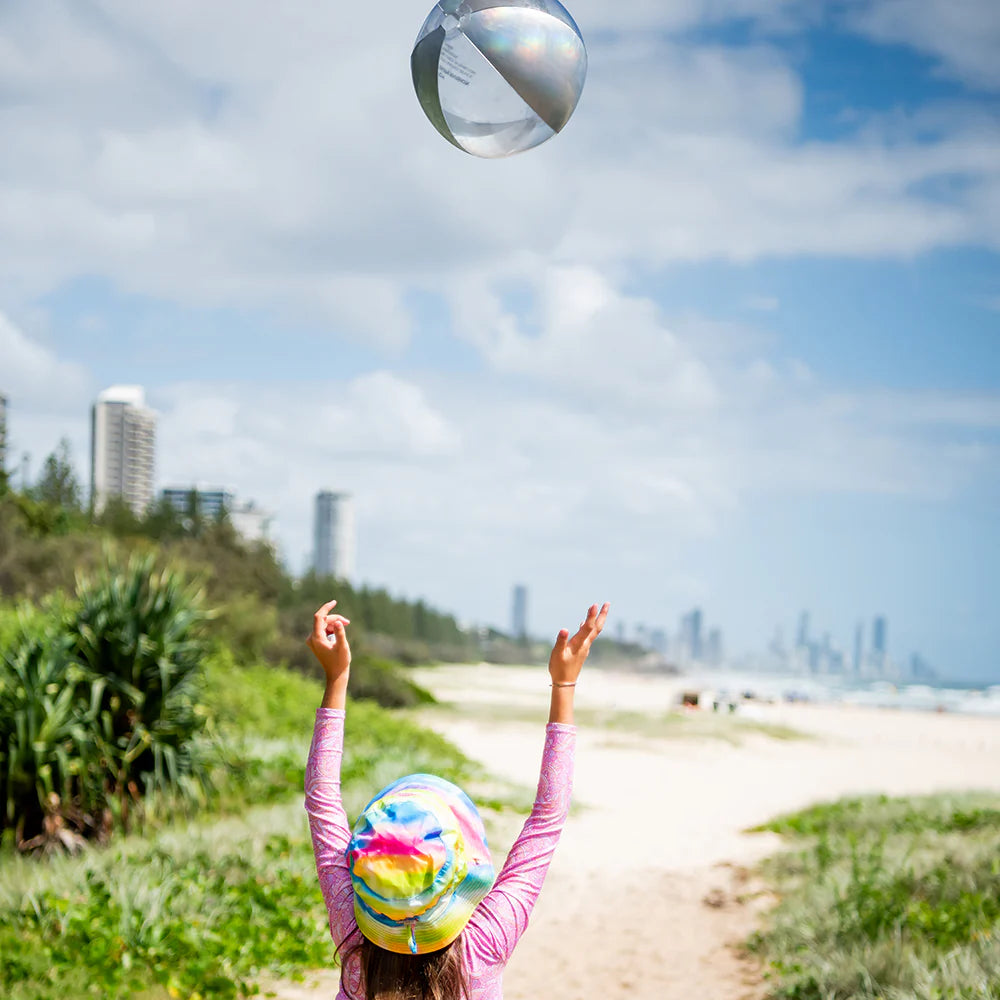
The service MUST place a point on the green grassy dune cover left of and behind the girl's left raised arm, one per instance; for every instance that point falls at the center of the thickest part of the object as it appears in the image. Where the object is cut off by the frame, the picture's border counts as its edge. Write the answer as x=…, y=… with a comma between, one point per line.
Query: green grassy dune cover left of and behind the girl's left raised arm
x=204, y=906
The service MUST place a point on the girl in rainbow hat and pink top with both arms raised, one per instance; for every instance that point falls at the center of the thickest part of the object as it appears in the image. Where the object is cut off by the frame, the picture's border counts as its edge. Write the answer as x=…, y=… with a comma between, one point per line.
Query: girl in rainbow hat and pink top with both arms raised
x=416, y=909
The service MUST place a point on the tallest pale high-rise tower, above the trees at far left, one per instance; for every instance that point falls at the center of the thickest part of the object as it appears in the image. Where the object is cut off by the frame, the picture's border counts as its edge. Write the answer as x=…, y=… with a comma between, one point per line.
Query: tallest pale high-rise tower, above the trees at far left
x=122, y=448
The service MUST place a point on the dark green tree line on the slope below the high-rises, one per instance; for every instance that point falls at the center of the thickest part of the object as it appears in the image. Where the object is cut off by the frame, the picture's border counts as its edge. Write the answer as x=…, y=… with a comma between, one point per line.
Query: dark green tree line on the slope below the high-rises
x=48, y=535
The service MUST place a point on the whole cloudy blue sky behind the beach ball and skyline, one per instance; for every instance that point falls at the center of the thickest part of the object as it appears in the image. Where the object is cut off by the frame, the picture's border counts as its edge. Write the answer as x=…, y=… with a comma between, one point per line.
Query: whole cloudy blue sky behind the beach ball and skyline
x=732, y=339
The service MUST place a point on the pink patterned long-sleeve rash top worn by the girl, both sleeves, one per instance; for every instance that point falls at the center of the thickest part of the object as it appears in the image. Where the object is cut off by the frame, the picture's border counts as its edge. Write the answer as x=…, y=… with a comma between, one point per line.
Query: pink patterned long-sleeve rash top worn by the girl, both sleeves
x=502, y=917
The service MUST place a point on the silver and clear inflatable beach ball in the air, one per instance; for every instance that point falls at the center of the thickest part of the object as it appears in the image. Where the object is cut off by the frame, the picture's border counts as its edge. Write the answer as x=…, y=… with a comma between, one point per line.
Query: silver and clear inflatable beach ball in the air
x=496, y=78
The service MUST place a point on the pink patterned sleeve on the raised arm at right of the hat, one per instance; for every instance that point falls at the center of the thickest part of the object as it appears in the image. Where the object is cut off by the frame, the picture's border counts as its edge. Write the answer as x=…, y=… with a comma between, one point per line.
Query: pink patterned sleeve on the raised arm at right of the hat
x=502, y=917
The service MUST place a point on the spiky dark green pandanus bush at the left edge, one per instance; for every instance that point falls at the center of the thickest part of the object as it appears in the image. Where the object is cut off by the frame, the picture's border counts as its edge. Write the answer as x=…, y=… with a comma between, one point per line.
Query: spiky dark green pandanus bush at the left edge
x=98, y=705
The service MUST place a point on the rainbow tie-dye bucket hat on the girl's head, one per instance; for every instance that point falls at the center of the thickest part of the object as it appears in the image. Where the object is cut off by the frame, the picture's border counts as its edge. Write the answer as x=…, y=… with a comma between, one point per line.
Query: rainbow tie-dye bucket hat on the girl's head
x=419, y=864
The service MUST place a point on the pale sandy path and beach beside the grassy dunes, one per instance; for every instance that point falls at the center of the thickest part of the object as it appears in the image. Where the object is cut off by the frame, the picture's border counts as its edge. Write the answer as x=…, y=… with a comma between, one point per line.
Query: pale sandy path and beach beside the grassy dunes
x=646, y=895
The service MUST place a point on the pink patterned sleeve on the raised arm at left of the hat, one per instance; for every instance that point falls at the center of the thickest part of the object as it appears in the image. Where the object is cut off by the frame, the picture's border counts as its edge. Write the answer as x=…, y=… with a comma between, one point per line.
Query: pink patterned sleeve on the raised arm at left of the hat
x=328, y=821
